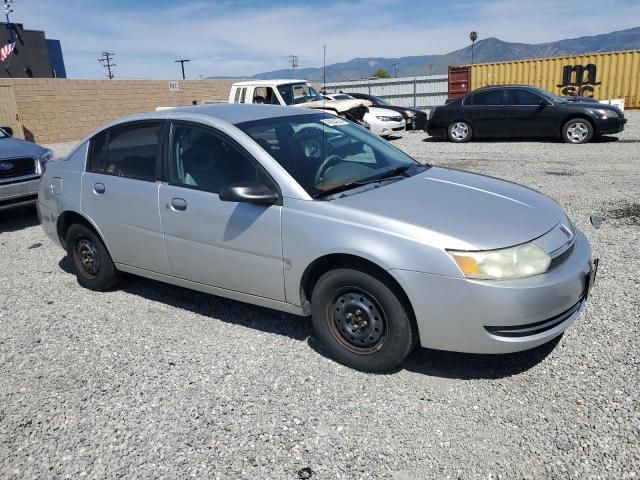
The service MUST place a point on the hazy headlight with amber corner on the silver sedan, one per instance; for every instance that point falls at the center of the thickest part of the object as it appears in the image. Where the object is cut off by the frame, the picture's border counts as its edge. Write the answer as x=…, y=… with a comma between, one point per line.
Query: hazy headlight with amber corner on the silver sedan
x=508, y=263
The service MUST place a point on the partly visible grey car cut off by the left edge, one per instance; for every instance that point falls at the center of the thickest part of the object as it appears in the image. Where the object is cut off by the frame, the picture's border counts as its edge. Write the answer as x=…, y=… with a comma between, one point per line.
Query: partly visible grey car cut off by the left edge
x=21, y=164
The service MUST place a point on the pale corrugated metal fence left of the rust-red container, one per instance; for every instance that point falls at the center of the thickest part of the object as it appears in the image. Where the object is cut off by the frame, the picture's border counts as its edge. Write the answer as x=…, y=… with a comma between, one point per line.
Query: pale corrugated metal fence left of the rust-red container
x=420, y=92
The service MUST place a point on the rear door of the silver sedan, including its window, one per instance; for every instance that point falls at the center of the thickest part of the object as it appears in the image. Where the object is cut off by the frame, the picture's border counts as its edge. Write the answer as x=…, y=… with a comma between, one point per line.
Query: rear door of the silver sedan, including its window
x=120, y=193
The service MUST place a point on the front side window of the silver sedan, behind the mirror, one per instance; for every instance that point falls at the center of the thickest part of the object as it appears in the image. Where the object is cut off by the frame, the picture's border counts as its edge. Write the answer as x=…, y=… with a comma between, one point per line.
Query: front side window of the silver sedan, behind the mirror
x=204, y=160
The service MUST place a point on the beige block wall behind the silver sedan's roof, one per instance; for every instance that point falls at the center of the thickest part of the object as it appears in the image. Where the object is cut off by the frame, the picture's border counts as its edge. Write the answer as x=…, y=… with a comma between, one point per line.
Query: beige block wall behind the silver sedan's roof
x=59, y=110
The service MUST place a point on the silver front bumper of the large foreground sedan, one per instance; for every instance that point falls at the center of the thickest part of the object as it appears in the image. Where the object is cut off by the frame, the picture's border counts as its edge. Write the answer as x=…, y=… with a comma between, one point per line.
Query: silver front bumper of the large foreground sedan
x=498, y=316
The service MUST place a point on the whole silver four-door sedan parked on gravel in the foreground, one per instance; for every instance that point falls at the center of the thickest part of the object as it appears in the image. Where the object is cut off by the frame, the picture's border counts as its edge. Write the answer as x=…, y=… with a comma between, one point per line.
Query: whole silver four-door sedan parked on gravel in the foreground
x=308, y=213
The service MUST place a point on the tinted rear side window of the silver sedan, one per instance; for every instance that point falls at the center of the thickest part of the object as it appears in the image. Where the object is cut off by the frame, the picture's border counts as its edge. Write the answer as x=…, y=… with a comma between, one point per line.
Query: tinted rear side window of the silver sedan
x=129, y=151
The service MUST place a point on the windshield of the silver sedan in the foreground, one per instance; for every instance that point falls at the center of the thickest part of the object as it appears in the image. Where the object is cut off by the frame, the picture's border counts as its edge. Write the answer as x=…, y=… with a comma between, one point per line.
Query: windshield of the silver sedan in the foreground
x=327, y=154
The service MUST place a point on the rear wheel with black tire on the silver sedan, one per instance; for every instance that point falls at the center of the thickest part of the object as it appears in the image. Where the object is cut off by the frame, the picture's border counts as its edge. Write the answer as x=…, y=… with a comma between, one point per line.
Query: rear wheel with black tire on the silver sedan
x=90, y=261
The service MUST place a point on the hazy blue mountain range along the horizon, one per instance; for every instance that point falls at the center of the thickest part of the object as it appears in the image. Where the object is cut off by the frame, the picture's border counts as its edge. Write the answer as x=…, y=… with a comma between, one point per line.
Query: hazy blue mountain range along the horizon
x=487, y=50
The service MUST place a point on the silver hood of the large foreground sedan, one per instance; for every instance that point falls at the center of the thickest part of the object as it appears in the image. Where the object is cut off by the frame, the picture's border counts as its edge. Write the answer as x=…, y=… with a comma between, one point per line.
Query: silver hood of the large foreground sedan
x=441, y=205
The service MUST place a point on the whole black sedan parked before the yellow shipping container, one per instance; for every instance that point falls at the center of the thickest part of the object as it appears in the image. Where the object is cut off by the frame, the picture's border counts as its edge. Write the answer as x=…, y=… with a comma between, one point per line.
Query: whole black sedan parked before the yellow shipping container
x=519, y=111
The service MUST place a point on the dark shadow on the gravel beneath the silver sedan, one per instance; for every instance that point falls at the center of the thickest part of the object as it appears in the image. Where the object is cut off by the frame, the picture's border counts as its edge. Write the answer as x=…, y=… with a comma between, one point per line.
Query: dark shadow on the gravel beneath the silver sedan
x=428, y=362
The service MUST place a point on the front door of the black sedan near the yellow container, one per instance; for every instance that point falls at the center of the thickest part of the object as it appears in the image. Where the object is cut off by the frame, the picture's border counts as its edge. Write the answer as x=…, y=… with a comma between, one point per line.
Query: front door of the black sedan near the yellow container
x=528, y=115
